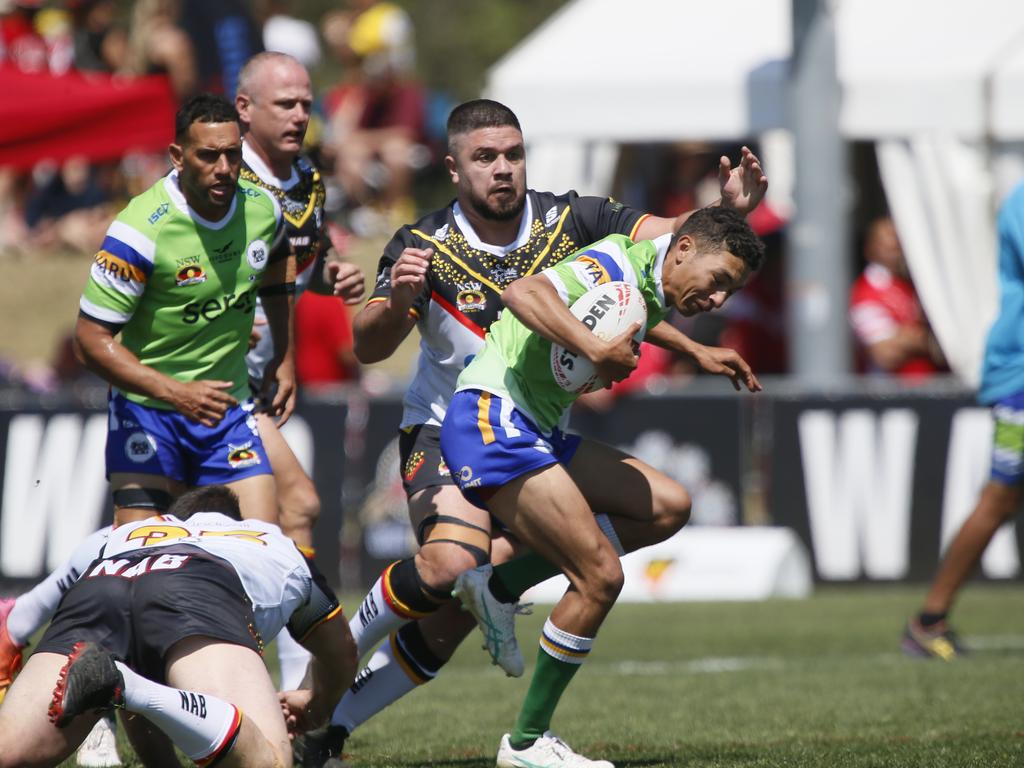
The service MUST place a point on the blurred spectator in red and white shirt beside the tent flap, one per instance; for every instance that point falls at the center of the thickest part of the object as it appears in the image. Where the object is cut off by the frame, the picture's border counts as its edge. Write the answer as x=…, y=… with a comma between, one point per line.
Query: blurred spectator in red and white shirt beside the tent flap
x=887, y=319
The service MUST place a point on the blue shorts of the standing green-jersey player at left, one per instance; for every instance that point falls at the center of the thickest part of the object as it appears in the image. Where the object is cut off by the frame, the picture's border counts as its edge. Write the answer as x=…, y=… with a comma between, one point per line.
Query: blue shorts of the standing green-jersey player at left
x=155, y=442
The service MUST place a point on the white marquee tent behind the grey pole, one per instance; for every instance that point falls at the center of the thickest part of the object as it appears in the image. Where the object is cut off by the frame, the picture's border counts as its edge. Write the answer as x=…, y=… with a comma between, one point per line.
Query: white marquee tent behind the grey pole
x=938, y=87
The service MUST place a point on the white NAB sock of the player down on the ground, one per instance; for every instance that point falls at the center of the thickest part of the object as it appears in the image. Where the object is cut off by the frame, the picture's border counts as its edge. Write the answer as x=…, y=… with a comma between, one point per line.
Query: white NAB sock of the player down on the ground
x=201, y=726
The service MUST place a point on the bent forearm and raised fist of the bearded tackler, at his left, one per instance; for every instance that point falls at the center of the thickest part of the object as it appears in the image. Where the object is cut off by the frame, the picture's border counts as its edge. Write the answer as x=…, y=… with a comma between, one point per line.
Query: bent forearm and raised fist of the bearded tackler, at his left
x=381, y=326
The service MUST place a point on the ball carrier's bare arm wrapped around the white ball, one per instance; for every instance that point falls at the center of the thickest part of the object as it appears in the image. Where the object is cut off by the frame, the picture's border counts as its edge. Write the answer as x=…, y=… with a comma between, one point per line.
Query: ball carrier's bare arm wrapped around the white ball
x=535, y=303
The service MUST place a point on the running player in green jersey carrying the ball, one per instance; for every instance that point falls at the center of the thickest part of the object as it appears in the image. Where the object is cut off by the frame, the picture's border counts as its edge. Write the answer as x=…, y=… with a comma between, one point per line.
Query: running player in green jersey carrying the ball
x=503, y=439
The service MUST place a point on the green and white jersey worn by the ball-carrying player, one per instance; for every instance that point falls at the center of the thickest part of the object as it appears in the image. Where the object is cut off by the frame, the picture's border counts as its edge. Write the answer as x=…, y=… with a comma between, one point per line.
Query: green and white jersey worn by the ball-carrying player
x=516, y=362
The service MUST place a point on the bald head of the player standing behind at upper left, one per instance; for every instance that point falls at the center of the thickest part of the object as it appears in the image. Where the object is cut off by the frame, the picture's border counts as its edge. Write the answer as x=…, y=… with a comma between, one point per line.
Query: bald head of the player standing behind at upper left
x=274, y=102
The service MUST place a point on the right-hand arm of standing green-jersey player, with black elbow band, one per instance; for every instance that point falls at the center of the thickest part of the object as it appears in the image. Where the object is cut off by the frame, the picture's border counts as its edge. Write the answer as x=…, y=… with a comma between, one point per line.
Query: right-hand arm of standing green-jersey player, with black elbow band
x=277, y=294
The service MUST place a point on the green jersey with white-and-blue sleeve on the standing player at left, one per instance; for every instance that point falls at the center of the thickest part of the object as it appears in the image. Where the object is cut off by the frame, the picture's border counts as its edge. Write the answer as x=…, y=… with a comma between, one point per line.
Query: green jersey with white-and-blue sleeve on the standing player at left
x=181, y=289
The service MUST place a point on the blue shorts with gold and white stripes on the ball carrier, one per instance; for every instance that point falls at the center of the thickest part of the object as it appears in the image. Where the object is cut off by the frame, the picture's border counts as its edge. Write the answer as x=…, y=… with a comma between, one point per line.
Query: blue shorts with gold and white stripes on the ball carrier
x=487, y=443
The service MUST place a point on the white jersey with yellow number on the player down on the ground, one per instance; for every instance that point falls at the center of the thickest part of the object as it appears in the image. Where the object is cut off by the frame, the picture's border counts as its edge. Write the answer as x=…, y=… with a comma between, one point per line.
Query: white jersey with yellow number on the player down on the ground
x=273, y=572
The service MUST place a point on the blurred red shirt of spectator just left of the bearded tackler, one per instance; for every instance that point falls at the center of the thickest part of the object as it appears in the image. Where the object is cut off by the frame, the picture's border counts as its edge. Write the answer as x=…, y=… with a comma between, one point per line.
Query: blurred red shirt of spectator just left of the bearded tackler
x=324, y=342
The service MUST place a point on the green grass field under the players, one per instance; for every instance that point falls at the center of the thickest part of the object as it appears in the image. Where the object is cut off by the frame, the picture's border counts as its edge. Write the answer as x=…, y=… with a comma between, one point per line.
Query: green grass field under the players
x=819, y=682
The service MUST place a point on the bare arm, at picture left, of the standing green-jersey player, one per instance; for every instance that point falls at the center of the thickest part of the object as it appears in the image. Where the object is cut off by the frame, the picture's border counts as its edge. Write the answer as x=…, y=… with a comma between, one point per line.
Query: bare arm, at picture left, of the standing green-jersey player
x=205, y=402
